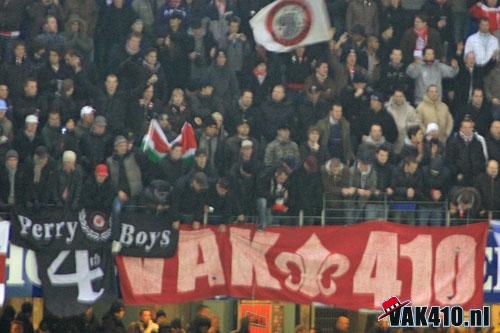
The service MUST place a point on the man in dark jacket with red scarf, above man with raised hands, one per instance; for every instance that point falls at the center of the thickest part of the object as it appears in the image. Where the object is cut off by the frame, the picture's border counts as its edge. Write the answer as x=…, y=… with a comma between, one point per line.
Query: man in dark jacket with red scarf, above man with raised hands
x=415, y=40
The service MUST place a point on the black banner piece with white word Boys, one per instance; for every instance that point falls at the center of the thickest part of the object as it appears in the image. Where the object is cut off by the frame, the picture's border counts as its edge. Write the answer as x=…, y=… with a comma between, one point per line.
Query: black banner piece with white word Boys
x=147, y=235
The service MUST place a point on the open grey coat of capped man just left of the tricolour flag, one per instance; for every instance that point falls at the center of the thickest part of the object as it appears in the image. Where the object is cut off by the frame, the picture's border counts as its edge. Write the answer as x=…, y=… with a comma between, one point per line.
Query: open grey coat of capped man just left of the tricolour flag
x=133, y=174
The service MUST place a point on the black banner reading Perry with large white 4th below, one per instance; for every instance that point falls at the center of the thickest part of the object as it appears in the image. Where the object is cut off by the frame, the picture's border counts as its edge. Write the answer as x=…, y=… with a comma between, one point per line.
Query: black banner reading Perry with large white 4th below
x=73, y=252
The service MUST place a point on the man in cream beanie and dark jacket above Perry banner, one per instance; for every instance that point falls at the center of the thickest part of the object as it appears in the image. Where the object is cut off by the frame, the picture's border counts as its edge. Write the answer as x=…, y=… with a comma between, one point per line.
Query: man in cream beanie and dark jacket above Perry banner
x=68, y=181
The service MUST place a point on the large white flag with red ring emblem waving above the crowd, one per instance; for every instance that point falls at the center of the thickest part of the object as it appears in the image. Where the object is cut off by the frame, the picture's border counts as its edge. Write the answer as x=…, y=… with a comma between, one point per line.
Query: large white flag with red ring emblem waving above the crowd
x=284, y=25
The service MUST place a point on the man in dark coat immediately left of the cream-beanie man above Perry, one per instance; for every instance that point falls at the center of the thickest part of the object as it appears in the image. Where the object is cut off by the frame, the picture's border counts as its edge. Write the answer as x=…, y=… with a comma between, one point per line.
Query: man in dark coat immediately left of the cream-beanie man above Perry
x=39, y=172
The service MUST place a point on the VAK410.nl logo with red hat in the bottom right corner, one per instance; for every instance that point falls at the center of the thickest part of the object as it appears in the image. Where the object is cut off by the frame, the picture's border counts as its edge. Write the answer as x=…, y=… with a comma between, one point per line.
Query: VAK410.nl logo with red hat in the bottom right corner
x=401, y=314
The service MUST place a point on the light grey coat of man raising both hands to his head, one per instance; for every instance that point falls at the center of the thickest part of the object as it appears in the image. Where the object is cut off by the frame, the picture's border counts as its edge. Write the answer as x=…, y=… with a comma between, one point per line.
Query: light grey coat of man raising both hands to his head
x=425, y=75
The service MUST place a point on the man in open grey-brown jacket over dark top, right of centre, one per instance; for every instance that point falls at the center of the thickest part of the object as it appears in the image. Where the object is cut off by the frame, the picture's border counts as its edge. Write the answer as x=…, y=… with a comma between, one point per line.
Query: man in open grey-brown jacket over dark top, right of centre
x=335, y=135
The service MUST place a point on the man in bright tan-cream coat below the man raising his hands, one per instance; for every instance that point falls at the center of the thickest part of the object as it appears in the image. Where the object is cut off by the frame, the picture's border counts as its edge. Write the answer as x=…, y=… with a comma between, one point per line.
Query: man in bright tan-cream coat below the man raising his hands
x=433, y=110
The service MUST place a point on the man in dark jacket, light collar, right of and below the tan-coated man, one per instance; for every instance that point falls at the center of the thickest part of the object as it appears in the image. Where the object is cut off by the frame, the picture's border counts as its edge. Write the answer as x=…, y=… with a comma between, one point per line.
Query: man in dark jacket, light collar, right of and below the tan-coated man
x=464, y=154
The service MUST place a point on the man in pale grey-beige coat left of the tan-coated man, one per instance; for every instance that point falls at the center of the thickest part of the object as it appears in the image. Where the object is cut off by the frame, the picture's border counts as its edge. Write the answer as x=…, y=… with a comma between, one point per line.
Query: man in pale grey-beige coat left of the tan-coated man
x=404, y=116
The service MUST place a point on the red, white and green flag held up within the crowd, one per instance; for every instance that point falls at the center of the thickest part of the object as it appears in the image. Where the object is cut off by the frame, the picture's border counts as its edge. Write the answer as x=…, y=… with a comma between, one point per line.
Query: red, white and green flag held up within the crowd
x=156, y=145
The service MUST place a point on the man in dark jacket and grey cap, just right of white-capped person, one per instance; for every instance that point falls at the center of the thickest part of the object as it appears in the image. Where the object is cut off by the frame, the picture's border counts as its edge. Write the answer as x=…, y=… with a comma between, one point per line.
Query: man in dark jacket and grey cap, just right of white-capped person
x=96, y=145
